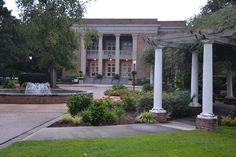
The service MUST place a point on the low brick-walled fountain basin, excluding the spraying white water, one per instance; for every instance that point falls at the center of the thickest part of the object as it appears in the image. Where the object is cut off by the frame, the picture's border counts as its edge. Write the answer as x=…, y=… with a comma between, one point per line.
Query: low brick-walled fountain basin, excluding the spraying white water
x=18, y=96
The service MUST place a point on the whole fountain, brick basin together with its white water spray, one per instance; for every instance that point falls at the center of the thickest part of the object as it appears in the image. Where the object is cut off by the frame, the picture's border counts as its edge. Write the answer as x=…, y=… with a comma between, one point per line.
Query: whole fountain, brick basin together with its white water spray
x=37, y=93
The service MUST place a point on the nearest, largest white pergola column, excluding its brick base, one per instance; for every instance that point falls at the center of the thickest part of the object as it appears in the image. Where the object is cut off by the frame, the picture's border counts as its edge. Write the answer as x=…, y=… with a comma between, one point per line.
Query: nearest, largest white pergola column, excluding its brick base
x=207, y=91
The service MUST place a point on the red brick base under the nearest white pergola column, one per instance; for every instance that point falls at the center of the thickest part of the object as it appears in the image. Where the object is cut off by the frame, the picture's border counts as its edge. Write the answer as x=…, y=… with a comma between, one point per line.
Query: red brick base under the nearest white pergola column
x=207, y=122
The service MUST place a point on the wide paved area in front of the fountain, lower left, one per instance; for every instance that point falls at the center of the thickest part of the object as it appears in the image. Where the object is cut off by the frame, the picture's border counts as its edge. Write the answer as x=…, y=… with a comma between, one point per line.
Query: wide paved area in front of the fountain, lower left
x=19, y=120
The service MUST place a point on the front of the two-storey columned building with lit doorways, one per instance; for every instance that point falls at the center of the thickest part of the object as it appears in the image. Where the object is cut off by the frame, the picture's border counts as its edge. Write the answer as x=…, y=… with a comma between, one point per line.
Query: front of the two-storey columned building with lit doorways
x=120, y=47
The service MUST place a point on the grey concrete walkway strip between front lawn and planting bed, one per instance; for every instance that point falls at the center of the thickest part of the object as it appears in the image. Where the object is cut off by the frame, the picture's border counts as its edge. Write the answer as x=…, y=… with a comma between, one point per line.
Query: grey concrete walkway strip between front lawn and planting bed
x=107, y=131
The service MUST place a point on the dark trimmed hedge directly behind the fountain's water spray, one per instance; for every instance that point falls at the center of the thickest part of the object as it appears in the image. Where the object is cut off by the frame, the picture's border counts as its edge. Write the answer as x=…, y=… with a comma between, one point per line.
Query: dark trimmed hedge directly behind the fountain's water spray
x=33, y=77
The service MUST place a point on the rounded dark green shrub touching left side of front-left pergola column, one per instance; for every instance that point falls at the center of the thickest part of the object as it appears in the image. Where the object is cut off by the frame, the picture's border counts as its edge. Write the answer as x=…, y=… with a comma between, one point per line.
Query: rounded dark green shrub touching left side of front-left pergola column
x=145, y=103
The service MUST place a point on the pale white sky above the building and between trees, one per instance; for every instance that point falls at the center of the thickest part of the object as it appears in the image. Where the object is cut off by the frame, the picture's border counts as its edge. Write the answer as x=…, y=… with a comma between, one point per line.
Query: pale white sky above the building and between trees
x=162, y=10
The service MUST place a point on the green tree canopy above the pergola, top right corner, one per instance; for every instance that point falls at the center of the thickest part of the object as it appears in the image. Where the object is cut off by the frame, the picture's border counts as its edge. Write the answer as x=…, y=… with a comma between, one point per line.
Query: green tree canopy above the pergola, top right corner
x=216, y=14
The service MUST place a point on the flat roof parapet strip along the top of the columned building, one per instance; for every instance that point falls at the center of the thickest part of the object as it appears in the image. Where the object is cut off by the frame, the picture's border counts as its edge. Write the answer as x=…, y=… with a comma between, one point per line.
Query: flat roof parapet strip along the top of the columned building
x=134, y=21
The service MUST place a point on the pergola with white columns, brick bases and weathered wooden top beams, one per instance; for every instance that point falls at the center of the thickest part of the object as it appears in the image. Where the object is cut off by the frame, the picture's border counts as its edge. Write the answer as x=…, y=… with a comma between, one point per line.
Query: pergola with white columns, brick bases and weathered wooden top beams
x=226, y=37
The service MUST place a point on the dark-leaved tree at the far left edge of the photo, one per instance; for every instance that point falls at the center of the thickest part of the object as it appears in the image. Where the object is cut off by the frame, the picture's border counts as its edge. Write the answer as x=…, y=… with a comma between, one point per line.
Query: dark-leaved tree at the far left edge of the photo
x=11, y=41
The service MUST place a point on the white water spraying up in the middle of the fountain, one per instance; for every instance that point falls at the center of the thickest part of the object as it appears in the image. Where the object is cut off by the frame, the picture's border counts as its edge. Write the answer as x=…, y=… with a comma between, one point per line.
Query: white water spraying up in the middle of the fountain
x=38, y=88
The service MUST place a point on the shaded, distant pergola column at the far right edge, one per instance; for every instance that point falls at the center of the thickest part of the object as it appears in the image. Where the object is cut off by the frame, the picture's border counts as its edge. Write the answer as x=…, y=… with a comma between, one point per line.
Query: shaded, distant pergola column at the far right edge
x=229, y=83
